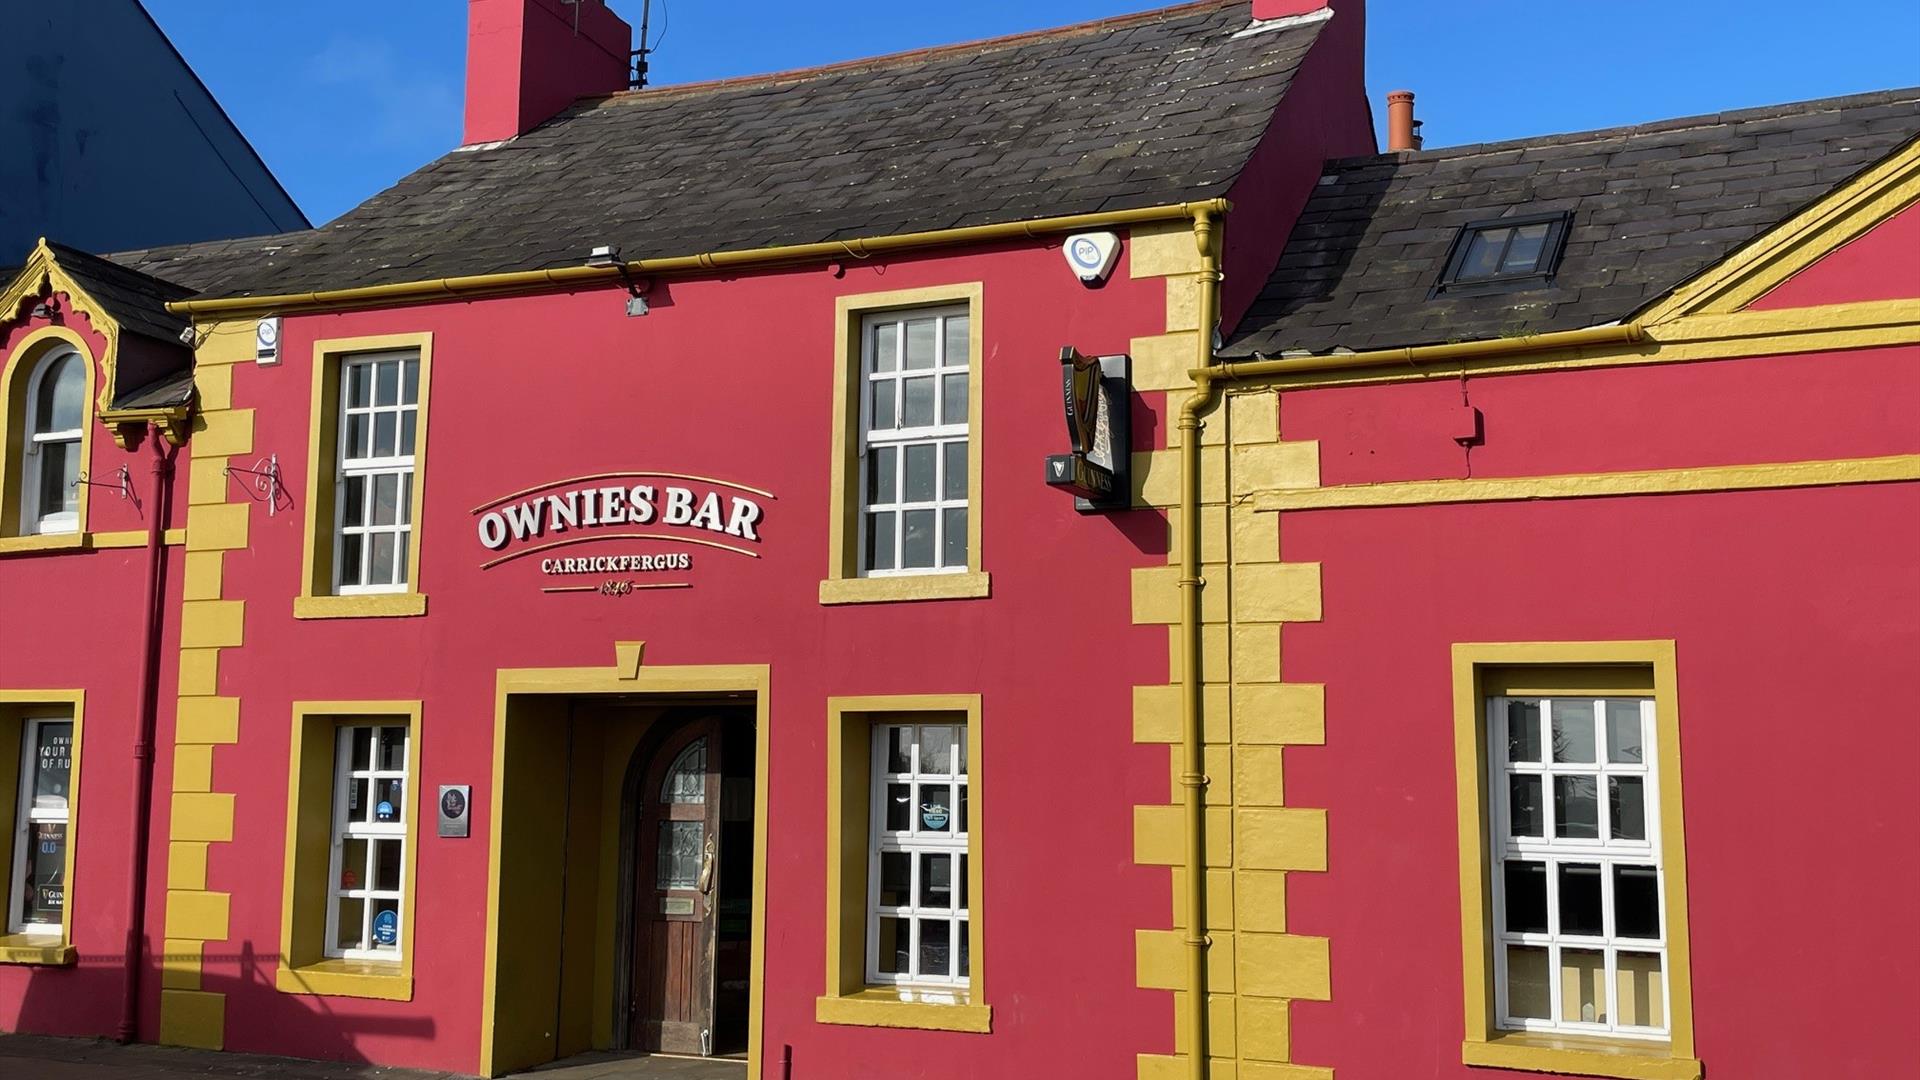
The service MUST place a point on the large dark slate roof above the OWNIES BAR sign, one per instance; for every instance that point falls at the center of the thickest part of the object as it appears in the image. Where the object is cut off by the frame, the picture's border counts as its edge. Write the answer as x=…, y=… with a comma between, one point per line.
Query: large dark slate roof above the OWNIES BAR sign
x=1128, y=112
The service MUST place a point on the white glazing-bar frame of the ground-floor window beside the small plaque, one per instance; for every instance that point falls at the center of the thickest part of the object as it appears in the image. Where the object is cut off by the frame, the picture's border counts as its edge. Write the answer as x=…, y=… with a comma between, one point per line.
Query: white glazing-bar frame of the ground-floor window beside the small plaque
x=347, y=827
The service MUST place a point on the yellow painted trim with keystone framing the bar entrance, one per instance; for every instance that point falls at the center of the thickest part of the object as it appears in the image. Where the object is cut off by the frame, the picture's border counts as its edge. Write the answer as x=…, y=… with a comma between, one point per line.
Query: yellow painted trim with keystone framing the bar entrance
x=617, y=679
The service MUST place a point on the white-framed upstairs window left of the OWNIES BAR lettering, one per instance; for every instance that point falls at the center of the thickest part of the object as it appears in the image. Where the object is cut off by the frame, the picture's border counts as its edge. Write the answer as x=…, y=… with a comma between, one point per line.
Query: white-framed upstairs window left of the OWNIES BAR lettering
x=373, y=503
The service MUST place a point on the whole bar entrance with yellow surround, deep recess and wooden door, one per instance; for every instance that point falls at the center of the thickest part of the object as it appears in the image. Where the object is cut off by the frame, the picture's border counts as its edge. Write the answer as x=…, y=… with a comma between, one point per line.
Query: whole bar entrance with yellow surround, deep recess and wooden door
x=604, y=781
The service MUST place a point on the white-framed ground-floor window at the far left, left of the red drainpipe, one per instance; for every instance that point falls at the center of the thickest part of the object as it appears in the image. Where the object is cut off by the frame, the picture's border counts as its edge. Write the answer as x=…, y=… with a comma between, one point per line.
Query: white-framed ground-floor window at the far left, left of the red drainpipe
x=37, y=885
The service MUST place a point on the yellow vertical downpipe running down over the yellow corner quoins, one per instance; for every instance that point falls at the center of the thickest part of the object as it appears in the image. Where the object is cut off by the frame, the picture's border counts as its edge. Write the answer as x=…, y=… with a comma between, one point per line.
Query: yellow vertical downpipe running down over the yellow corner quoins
x=1193, y=762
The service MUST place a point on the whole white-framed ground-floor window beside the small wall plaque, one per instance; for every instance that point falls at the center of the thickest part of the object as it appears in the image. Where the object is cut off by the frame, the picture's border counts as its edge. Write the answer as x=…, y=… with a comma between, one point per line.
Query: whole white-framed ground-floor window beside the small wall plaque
x=368, y=875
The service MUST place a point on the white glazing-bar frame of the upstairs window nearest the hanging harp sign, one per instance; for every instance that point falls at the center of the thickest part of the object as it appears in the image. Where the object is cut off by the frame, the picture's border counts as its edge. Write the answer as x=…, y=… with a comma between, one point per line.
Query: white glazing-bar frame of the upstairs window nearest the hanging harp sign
x=898, y=441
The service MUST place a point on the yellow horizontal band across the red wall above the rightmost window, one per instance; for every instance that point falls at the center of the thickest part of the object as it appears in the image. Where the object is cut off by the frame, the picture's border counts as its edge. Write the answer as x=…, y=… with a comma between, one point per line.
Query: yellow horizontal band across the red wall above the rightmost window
x=1600, y=485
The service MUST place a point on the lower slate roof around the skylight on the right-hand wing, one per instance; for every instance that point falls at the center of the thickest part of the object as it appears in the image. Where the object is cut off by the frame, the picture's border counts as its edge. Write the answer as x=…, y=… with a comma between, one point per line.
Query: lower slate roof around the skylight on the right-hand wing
x=1652, y=207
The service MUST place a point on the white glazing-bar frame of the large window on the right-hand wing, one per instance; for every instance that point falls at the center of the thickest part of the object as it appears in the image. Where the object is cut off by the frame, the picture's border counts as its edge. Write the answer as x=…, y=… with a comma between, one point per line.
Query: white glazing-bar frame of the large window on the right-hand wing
x=1552, y=850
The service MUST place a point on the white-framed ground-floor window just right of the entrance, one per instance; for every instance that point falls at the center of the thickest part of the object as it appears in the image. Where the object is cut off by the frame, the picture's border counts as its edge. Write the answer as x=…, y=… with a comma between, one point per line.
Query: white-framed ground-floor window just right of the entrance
x=919, y=929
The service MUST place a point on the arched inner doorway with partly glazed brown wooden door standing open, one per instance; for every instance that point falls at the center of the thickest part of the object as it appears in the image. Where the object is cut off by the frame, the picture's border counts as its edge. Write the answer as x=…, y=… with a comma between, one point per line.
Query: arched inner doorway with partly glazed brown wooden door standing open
x=688, y=835
